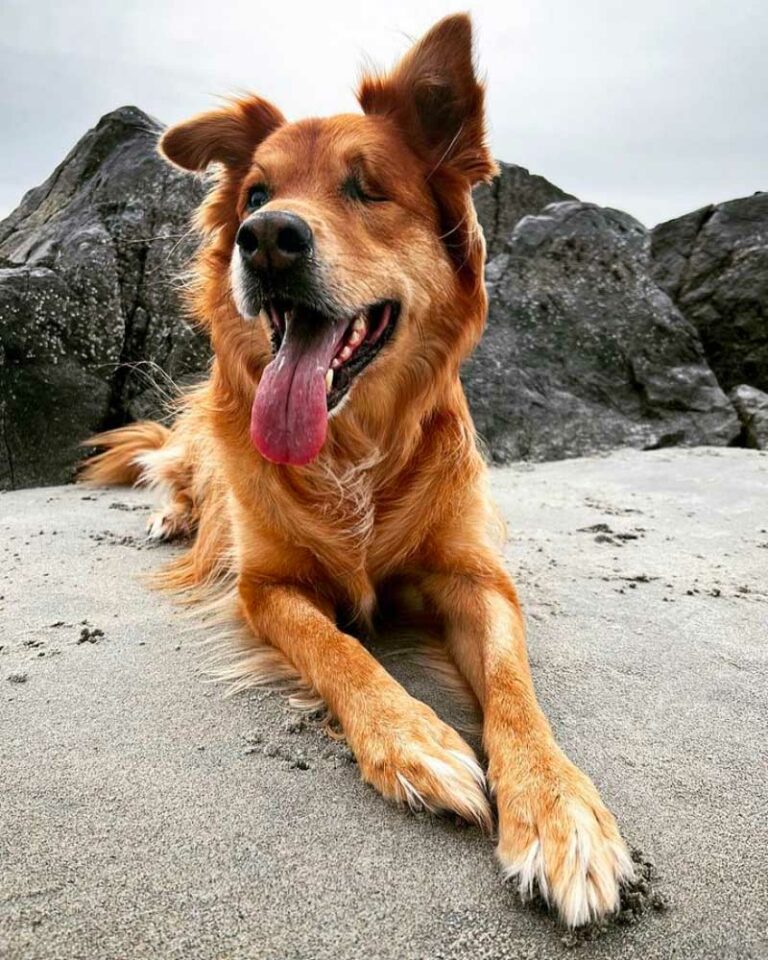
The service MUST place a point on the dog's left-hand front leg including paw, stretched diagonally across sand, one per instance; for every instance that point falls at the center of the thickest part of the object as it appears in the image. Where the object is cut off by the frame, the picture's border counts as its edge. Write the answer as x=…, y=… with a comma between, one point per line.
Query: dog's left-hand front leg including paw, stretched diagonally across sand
x=402, y=747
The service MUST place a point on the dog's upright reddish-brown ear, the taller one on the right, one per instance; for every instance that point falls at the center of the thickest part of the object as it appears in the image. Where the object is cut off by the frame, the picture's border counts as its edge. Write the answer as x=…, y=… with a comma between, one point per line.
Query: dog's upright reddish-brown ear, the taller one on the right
x=437, y=101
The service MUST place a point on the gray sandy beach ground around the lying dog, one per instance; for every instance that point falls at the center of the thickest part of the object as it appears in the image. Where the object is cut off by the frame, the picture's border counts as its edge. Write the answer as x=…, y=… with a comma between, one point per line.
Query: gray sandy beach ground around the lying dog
x=144, y=816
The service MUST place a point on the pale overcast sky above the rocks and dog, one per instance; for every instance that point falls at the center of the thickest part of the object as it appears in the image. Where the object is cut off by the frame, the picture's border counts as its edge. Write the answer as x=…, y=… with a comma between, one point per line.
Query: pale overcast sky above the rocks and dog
x=655, y=106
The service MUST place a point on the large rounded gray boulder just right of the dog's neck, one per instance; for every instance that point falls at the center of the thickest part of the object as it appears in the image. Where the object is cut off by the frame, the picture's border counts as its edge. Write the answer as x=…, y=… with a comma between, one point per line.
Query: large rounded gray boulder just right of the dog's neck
x=583, y=351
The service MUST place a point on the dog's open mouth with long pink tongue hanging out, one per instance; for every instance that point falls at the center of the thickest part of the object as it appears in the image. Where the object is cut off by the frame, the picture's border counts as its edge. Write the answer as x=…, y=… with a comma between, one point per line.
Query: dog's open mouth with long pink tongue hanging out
x=317, y=359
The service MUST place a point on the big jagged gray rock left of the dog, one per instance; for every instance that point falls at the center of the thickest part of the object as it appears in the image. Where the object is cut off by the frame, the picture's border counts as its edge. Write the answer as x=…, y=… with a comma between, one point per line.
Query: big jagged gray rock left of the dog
x=91, y=329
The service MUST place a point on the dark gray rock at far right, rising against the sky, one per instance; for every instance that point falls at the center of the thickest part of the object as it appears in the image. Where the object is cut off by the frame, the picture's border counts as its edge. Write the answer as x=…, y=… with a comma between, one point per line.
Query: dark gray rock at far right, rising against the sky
x=714, y=265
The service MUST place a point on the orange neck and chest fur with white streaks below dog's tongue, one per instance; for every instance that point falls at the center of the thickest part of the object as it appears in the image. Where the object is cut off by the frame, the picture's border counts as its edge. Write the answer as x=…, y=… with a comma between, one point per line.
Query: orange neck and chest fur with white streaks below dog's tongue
x=365, y=506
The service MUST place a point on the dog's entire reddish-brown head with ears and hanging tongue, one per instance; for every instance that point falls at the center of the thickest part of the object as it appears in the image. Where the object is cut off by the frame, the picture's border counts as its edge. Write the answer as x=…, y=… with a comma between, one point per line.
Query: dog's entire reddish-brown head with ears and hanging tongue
x=351, y=239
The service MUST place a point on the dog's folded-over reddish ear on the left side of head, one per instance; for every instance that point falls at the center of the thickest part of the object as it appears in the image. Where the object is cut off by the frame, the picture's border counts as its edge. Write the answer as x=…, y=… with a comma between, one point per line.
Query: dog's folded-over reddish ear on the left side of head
x=228, y=135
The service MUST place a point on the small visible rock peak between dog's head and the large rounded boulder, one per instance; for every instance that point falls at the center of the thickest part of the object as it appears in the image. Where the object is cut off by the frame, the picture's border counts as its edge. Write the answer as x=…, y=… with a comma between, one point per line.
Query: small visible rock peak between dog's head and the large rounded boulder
x=514, y=194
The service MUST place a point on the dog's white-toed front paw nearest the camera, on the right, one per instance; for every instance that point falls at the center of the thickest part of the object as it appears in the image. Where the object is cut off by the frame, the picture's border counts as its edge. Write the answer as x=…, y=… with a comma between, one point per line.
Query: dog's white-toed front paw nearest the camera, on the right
x=557, y=837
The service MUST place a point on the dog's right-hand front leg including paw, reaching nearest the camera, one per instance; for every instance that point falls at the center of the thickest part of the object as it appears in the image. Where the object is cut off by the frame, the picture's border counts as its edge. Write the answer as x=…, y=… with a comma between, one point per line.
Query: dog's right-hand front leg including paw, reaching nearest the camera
x=554, y=830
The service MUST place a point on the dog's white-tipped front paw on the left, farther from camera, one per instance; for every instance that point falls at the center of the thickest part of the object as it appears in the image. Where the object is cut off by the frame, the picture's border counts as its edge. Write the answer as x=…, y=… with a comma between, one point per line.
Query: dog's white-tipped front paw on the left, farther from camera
x=411, y=756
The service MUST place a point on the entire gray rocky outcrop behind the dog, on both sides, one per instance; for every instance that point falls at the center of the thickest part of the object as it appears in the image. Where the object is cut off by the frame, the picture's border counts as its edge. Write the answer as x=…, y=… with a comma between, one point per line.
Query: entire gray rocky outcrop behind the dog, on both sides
x=584, y=349
